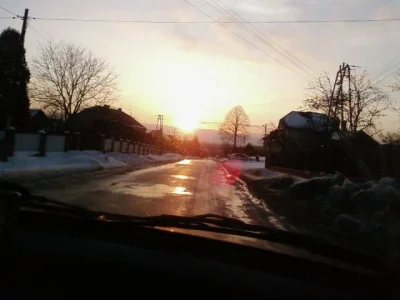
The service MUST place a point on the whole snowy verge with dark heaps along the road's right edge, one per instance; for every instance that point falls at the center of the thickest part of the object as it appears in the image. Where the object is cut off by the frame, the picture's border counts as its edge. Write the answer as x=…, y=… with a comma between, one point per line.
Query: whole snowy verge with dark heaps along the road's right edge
x=358, y=215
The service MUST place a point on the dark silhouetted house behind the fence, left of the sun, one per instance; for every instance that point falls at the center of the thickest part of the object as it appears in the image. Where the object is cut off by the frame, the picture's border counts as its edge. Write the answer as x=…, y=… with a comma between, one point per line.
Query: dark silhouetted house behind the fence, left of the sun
x=108, y=121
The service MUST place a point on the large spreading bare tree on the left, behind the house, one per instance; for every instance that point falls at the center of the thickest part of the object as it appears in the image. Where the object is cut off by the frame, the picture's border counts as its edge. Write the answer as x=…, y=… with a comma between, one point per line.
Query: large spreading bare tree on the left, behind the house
x=68, y=78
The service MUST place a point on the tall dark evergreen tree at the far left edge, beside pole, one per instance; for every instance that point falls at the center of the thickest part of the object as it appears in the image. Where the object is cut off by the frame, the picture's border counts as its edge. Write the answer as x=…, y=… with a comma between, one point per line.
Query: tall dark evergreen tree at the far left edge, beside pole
x=14, y=78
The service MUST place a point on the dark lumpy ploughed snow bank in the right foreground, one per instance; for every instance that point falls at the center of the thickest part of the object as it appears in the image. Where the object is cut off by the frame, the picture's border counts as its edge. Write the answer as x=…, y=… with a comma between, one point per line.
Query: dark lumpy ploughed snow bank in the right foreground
x=370, y=210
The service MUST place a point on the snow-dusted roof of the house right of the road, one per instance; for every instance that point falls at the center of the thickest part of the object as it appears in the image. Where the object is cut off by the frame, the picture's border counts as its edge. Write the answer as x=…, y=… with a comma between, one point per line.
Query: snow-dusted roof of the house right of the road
x=306, y=119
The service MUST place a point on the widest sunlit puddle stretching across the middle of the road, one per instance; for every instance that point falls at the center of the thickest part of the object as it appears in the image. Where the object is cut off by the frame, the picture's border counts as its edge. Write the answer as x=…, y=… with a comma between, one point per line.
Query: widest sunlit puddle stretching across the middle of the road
x=151, y=191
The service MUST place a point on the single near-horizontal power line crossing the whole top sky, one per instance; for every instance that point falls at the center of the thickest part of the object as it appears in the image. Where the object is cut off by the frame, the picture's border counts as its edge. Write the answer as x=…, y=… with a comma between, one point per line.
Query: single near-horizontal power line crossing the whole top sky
x=218, y=22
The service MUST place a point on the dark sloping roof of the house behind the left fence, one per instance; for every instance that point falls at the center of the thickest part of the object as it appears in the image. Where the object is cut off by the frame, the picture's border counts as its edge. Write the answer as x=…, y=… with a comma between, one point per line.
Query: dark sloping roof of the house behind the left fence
x=84, y=120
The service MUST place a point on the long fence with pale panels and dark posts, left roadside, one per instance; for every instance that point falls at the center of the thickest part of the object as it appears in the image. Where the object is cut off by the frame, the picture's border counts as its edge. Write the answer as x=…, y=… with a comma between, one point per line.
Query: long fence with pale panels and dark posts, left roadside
x=42, y=143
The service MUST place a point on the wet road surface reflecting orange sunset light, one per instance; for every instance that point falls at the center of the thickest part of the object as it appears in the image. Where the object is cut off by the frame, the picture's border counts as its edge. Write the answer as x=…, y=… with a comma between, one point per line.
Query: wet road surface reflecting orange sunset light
x=186, y=188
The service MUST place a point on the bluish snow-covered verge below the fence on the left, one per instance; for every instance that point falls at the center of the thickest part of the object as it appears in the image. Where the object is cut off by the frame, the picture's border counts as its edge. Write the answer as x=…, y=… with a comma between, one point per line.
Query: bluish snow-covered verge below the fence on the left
x=24, y=167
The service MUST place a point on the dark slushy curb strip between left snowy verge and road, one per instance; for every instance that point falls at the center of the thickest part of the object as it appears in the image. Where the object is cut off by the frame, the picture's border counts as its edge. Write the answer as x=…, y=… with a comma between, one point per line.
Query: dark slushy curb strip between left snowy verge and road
x=35, y=177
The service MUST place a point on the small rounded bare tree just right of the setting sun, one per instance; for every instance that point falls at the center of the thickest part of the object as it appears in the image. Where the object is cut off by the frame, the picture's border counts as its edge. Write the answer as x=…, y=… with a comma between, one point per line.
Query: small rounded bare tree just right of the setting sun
x=235, y=126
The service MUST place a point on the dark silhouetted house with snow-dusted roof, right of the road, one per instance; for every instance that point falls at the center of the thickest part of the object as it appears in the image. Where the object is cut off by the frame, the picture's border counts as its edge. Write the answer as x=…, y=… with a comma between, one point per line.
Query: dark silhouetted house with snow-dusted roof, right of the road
x=312, y=141
